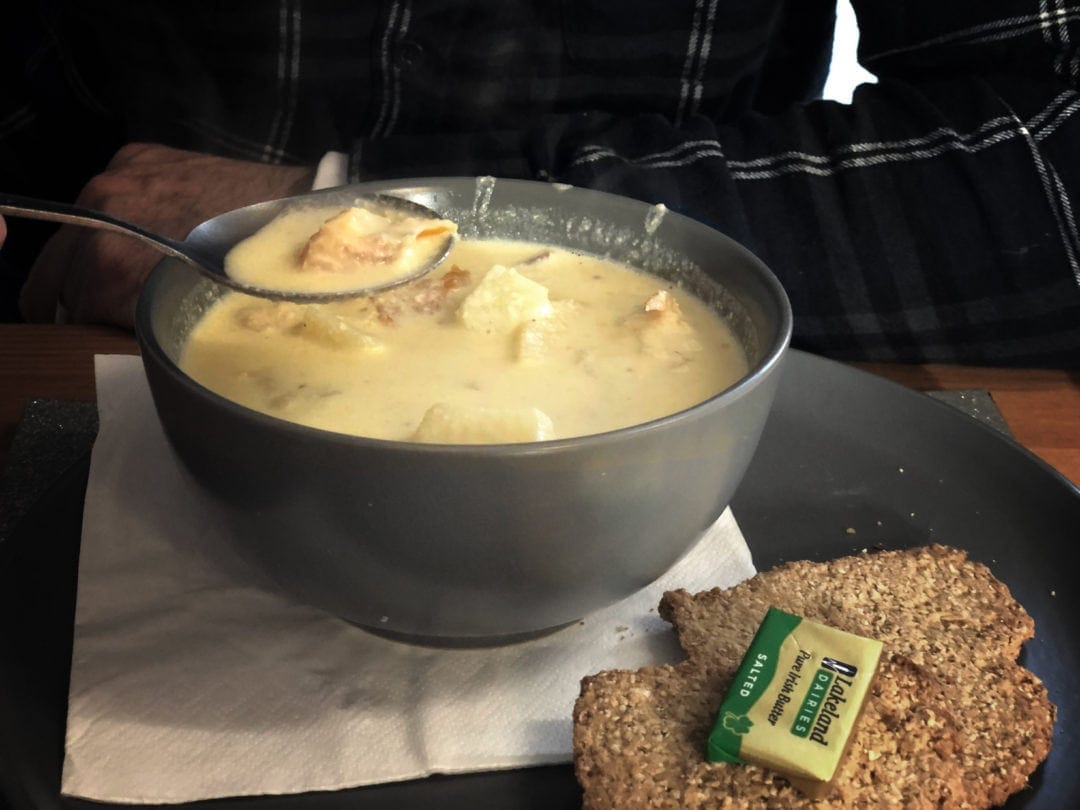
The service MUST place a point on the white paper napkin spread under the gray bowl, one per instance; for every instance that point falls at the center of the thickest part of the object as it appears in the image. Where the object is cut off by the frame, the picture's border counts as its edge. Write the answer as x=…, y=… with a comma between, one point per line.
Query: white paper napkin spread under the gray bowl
x=192, y=680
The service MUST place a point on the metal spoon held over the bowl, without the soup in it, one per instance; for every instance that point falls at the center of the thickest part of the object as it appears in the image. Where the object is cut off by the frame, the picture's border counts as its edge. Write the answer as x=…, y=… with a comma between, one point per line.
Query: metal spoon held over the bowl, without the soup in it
x=207, y=246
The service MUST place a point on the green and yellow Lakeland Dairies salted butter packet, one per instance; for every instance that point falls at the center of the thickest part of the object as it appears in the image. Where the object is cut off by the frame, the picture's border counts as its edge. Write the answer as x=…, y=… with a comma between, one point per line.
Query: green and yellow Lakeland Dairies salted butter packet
x=795, y=700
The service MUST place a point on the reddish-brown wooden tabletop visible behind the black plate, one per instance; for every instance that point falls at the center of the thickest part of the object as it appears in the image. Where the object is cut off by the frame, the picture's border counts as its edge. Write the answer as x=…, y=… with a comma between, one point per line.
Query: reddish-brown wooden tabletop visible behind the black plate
x=1042, y=408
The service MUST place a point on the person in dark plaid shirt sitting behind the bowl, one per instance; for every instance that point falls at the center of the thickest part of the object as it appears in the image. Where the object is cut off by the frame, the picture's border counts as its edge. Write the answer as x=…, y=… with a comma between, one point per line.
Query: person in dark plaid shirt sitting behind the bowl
x=930, y=220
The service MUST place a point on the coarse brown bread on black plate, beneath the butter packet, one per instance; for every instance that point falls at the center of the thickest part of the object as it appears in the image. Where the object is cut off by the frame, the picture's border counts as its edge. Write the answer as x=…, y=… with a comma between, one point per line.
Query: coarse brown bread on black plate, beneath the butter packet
x=952, y=722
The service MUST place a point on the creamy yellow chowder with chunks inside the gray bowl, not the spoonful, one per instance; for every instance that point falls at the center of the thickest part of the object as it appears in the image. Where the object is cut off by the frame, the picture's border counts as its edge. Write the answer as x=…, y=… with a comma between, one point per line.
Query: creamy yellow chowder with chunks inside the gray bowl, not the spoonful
x=505, y=342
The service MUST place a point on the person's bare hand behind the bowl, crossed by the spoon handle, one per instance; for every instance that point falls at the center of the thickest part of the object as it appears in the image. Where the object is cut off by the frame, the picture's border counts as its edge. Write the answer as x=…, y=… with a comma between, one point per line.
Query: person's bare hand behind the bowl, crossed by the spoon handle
x=96, y=276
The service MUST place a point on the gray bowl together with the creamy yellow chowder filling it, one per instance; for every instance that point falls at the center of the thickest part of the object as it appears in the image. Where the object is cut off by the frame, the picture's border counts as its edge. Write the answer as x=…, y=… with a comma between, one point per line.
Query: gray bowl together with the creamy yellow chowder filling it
x=535, y=430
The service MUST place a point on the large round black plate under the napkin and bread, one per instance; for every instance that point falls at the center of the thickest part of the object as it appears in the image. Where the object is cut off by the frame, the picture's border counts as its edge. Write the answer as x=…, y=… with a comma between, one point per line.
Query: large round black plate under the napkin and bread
x=847, y=462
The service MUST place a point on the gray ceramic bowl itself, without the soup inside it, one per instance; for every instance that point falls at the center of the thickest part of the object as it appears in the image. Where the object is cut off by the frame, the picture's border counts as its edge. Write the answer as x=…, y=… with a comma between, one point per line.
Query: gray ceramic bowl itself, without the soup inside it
x=494, y=542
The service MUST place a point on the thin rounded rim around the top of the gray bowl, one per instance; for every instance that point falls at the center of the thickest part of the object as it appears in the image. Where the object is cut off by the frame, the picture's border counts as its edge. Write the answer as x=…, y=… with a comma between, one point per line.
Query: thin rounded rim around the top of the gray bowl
x=772, y=357
